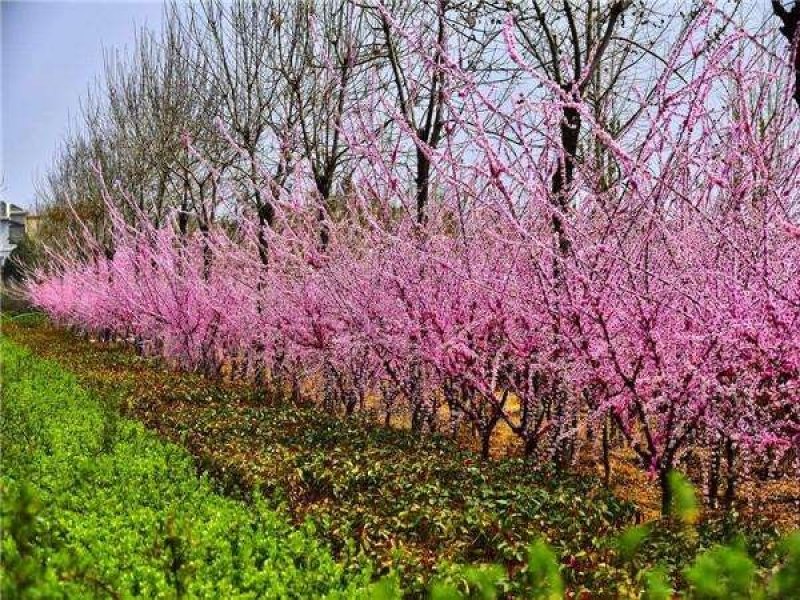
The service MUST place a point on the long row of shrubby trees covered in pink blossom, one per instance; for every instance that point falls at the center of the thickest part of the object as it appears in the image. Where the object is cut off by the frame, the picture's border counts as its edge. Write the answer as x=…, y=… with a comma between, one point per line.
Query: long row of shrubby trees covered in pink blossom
x=673, y=313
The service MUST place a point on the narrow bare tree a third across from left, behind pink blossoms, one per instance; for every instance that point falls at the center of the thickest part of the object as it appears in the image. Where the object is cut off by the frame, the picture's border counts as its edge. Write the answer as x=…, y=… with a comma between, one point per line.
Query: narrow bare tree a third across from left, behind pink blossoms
x=244, y=46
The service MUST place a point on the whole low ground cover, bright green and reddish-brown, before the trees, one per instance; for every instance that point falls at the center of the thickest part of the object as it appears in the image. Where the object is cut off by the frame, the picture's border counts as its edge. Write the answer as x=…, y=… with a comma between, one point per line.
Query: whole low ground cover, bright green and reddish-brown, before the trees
x=291, y=502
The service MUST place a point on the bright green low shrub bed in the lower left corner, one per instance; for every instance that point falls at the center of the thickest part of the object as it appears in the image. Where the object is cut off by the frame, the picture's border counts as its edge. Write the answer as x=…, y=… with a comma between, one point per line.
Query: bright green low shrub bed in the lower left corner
x=111, y=510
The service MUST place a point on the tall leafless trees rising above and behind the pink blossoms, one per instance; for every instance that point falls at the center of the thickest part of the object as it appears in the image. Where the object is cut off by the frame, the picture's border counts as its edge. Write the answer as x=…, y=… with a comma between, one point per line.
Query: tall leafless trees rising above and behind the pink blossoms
x=270, y=83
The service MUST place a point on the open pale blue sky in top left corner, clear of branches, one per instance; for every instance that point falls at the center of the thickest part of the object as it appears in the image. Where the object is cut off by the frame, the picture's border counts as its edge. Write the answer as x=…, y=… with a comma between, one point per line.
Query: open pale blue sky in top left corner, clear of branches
x=51, y=51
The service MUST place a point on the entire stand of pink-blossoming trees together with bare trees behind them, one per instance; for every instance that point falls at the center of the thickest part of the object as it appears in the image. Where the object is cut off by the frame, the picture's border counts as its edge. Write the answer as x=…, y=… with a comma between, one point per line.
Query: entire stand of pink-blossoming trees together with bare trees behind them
x=579, y=222
